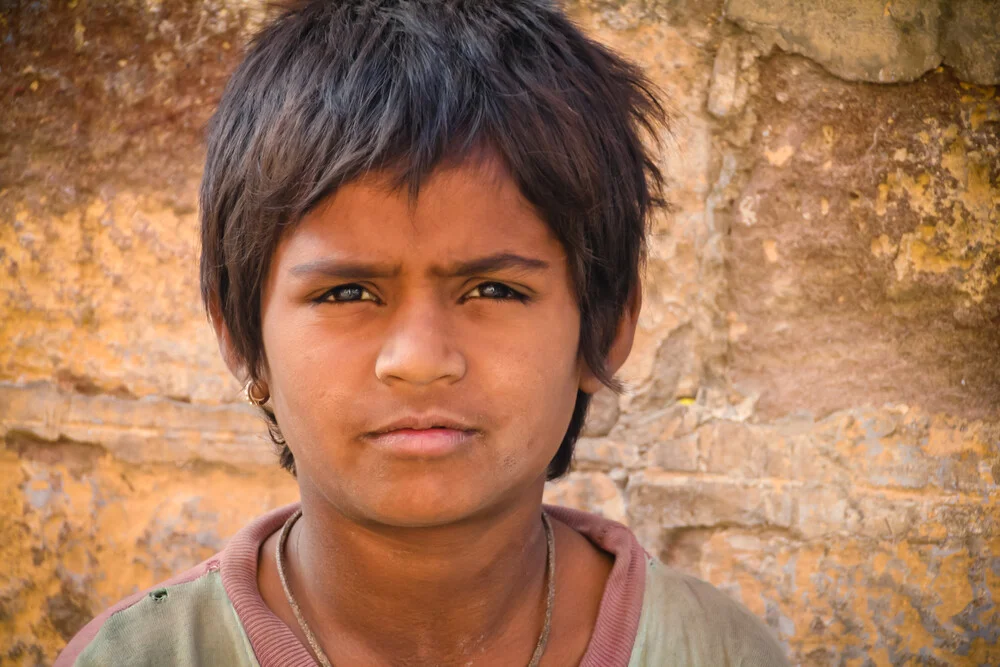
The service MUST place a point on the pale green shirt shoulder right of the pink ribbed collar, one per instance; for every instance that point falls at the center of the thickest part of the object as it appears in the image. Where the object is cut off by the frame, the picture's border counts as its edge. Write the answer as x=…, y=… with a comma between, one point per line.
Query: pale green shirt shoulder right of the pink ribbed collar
x=687, y=621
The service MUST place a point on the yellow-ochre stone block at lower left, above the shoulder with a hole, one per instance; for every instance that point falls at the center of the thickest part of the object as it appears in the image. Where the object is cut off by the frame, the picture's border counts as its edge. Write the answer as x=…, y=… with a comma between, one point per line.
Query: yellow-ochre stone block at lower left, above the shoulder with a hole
x=90, y=530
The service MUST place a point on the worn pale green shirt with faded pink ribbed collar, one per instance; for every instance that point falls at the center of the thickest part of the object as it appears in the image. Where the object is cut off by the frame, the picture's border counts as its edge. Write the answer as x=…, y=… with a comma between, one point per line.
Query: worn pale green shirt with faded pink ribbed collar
x=650, y=615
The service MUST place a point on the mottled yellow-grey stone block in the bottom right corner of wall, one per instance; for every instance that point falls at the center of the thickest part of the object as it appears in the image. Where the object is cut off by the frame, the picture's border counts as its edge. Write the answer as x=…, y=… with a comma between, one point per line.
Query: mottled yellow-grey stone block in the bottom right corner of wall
x=848, y=600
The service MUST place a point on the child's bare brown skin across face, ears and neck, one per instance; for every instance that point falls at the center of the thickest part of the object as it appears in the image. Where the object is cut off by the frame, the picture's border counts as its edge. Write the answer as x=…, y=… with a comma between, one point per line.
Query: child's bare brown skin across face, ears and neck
x=402, y=558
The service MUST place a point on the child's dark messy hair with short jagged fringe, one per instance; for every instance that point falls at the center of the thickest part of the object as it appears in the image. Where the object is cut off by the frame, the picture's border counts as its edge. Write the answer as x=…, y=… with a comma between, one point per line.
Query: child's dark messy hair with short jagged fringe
x=332, y=89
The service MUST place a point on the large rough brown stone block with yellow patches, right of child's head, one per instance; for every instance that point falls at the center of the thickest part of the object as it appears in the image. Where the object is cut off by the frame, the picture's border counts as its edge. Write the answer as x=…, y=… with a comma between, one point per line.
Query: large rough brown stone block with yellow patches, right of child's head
x=864, y=276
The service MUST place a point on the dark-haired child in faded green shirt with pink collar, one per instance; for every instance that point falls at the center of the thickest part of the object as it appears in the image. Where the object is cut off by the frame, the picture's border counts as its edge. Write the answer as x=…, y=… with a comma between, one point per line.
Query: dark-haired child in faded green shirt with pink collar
x=422, y=224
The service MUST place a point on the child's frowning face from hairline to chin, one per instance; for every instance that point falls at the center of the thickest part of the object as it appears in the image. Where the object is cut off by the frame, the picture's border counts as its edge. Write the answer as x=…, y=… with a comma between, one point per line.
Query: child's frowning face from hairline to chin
x=455, y=310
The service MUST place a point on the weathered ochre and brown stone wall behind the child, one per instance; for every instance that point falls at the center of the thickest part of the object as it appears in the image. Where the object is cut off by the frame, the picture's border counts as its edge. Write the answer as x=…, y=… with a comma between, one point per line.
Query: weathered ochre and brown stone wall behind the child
x=813, y=420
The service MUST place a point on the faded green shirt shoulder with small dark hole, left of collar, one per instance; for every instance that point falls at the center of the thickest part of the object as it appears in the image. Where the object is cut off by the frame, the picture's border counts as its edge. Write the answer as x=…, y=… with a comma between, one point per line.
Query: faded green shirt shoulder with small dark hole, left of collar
x=186, y=620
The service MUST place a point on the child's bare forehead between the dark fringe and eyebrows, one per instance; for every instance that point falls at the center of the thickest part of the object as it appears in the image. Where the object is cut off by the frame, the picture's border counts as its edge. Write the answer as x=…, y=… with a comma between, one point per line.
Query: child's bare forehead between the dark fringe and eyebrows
x=469, y=209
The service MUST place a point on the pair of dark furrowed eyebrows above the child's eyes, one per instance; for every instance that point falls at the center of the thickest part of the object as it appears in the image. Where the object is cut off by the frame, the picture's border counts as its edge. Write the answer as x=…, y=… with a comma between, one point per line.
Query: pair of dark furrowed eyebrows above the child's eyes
x=334, y=268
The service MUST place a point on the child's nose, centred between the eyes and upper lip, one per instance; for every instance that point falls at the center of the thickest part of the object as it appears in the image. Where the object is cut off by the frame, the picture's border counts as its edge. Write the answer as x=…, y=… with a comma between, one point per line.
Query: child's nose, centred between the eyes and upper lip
x=419, y=347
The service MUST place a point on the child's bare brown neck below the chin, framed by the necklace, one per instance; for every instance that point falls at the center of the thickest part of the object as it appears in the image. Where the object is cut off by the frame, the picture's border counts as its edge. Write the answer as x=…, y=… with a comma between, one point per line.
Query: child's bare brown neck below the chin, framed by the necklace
x=421, y=595
